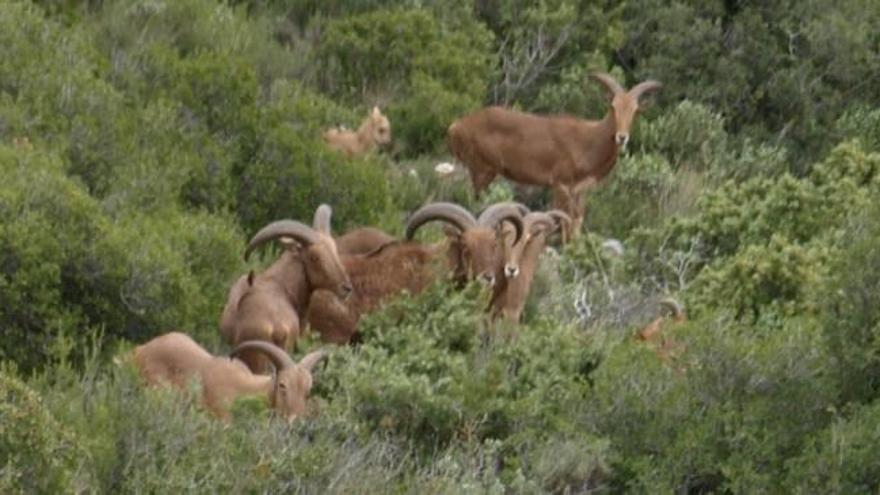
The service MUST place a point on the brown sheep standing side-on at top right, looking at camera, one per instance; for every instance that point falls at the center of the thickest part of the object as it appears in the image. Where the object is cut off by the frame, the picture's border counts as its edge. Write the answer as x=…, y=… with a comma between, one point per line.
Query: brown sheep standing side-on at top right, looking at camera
x=567, y=154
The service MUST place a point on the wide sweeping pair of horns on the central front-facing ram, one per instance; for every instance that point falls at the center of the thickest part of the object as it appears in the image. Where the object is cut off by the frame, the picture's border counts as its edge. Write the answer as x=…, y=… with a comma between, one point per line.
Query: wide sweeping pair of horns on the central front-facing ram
x=463, y=220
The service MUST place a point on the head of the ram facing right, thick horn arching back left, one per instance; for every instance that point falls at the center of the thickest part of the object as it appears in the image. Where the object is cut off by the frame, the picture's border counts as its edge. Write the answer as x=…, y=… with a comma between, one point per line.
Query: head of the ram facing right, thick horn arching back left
x=315, y=247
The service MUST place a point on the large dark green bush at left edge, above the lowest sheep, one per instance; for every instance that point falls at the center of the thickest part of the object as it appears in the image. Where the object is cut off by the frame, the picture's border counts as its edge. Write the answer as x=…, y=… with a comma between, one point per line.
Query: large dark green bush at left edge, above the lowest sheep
x=68, y=267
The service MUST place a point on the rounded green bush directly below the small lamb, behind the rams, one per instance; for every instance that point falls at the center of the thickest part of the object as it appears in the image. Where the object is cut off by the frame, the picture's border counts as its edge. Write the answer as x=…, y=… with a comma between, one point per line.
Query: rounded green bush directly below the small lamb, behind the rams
x=293, y=171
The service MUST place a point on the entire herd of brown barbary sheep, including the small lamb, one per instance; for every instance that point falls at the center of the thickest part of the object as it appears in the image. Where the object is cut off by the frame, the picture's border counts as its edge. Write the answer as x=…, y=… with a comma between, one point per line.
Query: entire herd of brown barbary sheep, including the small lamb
x=327, y=283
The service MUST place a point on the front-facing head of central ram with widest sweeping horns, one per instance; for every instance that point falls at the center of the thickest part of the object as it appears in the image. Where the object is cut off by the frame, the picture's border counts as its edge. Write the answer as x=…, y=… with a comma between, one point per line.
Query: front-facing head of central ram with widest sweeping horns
x=474, y=248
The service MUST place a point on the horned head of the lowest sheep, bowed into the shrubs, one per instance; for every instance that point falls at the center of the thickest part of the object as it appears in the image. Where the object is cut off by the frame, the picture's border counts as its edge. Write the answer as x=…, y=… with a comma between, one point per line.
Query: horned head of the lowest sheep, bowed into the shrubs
x=292, y=382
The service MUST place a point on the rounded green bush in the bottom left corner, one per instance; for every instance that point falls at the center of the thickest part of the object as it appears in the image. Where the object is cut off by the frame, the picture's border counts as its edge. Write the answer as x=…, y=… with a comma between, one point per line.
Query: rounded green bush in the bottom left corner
x=37, y=453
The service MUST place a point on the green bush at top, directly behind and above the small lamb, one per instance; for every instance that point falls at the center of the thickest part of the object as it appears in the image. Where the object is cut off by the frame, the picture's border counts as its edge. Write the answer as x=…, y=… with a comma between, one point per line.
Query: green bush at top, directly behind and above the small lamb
x=436, y=71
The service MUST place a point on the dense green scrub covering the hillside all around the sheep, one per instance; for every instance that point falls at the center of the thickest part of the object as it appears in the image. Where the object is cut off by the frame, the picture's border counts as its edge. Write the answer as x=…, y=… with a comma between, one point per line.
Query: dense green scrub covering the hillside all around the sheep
x=142, y=142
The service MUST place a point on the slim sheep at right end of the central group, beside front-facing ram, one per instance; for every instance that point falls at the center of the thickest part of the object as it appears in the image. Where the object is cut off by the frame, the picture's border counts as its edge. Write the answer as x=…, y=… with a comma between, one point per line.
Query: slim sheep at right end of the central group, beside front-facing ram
x=521, y=261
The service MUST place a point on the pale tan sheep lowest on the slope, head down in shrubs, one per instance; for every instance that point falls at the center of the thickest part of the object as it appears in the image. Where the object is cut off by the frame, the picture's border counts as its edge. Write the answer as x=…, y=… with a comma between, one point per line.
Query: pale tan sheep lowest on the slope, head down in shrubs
x=175, y=358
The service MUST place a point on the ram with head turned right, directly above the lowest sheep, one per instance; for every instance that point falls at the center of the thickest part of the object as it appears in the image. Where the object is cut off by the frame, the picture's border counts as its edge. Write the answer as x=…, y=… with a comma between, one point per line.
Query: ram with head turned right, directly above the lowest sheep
x=271, y=306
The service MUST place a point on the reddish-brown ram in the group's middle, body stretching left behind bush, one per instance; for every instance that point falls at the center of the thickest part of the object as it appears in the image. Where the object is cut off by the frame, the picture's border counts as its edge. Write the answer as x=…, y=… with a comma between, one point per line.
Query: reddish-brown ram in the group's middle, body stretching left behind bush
x=472, y=251
